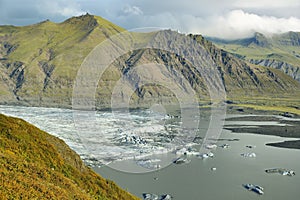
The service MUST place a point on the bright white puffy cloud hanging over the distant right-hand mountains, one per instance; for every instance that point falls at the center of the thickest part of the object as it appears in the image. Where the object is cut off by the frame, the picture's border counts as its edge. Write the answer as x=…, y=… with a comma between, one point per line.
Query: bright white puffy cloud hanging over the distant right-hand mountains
x=239, y=24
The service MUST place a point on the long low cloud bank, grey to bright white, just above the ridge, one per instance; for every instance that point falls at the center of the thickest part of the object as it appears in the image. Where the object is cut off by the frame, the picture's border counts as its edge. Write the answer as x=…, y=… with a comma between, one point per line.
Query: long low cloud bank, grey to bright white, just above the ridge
x=232, y=25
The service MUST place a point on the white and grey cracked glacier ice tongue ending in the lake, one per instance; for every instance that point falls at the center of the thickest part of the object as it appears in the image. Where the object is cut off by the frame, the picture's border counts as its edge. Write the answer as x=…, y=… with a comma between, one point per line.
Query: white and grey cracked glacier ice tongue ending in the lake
x=106, y=137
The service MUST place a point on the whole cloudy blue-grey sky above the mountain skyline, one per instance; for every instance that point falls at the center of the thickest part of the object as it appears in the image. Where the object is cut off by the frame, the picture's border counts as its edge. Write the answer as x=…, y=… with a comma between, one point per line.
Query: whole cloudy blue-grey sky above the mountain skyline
x=228, y=19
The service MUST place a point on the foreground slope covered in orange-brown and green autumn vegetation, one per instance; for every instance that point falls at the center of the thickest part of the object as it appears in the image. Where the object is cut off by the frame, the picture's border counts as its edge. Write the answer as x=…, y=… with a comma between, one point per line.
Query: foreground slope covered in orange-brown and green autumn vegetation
x=36, y=165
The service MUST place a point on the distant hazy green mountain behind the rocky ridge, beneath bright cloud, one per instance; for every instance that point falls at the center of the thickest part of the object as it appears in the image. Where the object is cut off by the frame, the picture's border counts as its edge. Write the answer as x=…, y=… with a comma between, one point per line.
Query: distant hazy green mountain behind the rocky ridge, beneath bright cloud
x=279, y=51
